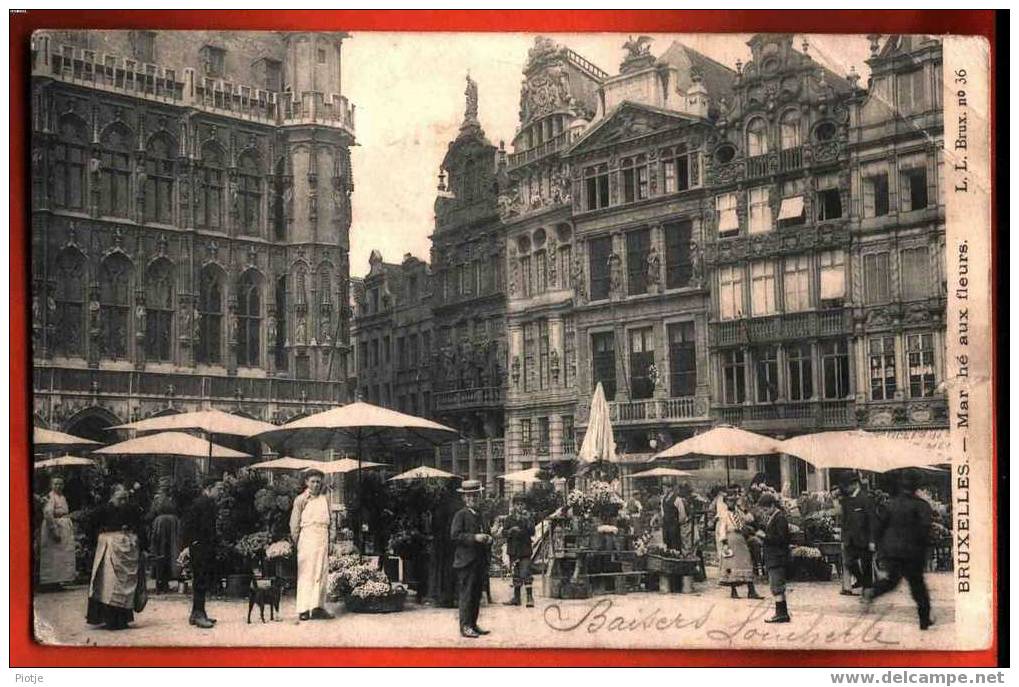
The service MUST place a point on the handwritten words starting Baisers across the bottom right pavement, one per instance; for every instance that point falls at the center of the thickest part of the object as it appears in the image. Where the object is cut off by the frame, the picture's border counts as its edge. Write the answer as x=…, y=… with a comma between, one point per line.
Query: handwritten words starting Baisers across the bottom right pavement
x=749, y=628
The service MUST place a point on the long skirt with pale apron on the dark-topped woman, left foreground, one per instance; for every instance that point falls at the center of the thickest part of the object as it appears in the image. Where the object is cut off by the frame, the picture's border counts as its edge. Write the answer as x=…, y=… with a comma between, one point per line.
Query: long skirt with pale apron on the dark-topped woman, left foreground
x=115, y=579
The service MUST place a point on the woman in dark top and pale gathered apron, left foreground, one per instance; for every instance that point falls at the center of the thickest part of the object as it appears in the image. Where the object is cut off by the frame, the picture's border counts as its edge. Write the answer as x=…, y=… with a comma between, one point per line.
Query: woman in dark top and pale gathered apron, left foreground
x=116, y=568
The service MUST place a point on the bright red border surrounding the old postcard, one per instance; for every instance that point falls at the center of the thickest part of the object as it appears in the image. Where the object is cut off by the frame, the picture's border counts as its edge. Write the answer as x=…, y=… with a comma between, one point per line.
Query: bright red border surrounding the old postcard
x=25, y=653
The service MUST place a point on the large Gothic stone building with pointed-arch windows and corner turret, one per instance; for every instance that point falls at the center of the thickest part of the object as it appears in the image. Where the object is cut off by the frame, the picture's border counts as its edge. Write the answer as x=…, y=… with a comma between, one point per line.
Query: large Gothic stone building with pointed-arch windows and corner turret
x=191, y=213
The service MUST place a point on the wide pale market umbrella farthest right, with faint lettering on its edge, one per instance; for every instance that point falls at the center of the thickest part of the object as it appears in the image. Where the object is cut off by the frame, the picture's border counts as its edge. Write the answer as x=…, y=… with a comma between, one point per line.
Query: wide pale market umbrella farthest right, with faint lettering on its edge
x=861, y=450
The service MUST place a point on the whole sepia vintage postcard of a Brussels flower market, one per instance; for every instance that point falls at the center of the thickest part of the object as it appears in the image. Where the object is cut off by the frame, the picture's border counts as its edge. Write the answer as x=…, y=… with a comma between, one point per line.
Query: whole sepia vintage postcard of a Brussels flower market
x=589, y=341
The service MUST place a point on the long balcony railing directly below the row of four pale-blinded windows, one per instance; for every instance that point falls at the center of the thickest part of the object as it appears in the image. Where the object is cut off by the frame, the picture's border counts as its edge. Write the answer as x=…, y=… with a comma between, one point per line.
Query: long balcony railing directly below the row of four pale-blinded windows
x=785, y=327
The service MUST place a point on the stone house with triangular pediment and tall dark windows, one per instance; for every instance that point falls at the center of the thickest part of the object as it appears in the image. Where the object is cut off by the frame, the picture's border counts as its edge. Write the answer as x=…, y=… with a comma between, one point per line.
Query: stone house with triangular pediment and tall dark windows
x=639, y=198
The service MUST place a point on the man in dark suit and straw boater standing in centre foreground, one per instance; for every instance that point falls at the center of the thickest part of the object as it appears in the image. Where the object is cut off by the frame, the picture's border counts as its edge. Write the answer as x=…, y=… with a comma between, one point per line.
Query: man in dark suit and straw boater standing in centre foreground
x=469, y=533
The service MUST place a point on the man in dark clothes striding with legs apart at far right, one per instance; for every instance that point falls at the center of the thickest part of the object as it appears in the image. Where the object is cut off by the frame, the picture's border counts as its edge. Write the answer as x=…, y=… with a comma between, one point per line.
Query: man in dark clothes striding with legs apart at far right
x=905, y=532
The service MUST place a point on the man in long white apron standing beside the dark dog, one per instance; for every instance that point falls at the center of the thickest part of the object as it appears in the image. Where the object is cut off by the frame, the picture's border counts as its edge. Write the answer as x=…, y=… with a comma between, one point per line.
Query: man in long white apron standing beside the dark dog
x=310, y=532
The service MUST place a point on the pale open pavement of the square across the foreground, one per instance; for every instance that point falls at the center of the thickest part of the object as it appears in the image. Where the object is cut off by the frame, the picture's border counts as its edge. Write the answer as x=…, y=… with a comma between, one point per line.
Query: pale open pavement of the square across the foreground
x=706, y=619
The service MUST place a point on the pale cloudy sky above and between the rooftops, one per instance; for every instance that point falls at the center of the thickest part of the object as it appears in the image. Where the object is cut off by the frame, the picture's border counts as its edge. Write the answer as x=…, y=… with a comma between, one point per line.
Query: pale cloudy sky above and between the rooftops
x=409, y=93
